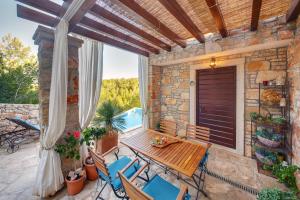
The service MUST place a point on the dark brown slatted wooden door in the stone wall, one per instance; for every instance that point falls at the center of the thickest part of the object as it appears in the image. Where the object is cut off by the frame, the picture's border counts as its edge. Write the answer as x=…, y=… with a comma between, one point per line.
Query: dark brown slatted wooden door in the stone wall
x=216, y=104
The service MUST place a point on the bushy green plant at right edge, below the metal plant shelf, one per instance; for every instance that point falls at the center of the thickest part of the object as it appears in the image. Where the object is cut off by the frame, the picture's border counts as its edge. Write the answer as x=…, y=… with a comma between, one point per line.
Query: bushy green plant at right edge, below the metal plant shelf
x=285, y=174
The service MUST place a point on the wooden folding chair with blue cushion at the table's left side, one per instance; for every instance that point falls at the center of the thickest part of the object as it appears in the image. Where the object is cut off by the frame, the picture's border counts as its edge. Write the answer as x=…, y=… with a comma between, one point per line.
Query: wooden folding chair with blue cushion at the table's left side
x=109, y=173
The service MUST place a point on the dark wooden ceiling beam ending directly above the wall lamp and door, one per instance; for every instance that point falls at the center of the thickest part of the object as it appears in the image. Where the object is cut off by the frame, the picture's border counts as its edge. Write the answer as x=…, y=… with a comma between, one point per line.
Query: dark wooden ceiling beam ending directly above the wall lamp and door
x=218, y=17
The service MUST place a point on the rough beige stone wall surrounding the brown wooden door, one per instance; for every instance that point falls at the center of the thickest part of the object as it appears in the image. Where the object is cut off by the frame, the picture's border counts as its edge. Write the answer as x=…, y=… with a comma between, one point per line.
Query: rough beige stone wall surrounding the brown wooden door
x=174, y=79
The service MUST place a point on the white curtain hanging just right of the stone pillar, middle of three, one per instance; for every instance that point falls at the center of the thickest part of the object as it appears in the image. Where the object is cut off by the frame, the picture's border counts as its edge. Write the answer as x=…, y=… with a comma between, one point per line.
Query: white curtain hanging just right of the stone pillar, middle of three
x=90, y=79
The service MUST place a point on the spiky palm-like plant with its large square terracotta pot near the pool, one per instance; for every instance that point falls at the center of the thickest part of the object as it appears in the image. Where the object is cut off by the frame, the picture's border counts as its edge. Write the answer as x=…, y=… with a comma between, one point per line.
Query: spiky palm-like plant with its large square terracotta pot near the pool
x=106, y=117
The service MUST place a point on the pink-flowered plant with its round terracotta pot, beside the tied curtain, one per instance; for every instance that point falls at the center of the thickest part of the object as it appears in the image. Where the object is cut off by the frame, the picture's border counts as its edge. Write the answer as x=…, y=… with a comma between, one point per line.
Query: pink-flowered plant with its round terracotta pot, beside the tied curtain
x=69, y=149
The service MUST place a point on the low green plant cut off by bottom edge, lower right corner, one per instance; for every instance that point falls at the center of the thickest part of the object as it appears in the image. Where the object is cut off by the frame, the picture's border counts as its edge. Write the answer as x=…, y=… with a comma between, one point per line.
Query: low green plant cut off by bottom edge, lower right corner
x=275, y=194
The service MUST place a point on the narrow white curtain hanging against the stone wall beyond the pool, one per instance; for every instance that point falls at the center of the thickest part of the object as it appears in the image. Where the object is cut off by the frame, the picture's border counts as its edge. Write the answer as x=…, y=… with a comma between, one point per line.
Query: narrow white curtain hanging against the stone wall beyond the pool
x=143, y=86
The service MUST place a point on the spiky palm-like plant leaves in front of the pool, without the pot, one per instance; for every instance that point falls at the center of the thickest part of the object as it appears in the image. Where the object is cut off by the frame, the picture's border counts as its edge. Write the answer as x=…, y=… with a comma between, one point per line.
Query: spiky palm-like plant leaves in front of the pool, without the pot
x=106, y=117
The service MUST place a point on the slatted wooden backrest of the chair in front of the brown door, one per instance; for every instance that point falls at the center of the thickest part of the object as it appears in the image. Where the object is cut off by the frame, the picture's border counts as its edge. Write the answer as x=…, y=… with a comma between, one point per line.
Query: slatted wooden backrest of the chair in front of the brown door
x=198, y=133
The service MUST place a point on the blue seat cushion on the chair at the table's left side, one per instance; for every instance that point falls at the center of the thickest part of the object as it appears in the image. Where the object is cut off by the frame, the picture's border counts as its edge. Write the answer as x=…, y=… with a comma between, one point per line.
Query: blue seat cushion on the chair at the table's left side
x=116, y=166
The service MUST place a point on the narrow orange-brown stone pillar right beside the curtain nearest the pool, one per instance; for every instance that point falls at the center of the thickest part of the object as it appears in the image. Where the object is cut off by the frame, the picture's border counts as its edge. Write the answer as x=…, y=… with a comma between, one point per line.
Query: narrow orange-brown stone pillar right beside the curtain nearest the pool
x=154, y=95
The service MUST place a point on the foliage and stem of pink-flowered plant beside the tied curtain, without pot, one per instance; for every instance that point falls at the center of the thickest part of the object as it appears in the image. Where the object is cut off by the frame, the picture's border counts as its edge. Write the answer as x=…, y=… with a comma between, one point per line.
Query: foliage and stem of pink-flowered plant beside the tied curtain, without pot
x=70, y=147
